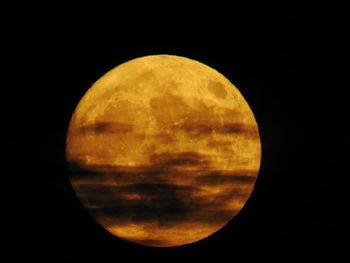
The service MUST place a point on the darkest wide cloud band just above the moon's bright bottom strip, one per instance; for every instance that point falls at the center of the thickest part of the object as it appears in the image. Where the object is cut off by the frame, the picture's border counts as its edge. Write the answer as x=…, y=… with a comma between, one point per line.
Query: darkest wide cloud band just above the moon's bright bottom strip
x=165, y=204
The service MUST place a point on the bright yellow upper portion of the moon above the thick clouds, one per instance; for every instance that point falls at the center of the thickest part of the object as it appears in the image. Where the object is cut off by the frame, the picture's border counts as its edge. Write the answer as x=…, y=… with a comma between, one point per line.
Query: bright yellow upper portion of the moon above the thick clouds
x=144, y=100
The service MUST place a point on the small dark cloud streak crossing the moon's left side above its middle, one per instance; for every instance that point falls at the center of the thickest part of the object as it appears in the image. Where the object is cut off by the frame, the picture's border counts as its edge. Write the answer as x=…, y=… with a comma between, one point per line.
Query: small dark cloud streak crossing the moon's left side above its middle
x=107, y=127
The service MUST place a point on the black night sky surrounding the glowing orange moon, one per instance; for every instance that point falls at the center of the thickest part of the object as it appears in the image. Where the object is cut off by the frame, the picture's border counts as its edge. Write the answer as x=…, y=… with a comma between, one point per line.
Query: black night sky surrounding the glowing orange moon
x=282, y=59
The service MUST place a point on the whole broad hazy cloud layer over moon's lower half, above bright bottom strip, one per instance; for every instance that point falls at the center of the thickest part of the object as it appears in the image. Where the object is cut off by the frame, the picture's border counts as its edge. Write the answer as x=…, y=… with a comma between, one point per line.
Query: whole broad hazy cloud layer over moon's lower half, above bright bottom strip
x=174, y=188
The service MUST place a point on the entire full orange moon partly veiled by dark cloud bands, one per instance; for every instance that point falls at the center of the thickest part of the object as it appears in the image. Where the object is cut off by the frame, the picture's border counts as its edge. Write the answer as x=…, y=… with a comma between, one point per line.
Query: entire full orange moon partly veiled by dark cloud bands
x=164, y=151
